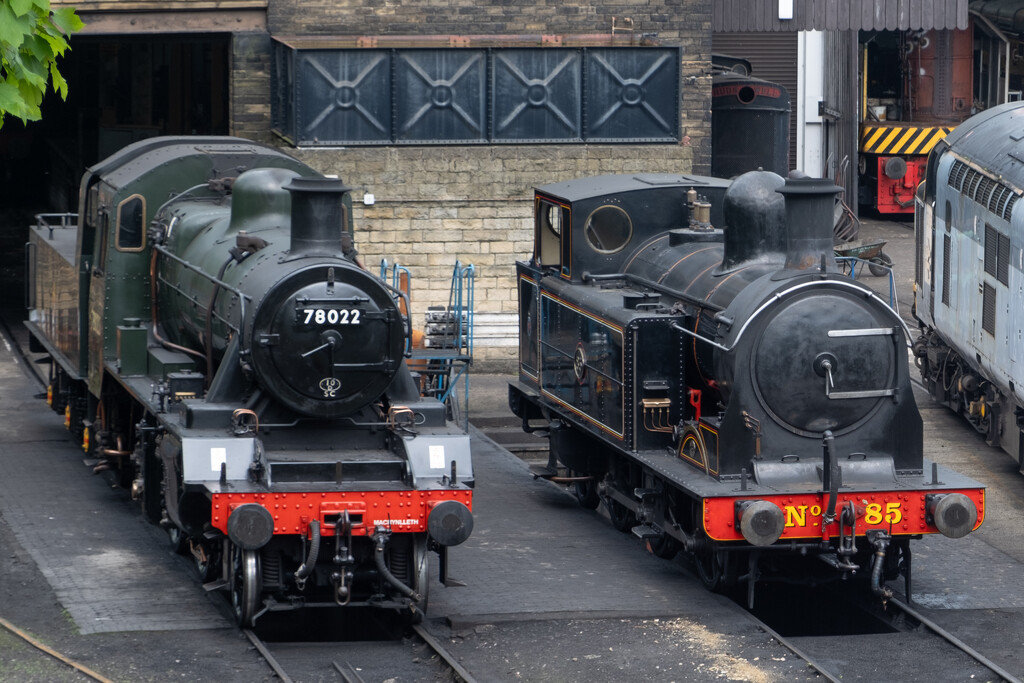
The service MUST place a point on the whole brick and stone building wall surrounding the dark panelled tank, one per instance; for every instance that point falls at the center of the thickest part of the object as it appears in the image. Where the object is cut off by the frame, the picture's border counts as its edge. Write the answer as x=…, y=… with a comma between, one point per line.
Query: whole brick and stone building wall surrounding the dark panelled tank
x=439, y=204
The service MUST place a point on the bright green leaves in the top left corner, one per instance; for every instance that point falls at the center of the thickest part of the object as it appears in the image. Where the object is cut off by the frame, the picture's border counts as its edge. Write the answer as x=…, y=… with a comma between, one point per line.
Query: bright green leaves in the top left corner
x=32, y=38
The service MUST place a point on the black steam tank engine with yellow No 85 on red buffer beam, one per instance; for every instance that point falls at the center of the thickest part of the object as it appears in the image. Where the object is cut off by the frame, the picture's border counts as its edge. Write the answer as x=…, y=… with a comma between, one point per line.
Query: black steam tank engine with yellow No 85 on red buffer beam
x=702, y=368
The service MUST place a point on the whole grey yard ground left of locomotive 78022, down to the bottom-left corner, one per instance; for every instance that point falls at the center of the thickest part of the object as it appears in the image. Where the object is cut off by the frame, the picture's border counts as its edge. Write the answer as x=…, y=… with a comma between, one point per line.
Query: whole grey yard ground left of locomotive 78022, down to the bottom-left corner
x=82, y=572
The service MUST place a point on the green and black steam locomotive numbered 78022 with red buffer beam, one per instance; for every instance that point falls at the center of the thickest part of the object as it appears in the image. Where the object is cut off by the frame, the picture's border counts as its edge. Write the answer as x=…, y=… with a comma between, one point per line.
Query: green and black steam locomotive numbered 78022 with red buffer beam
x=214, y=340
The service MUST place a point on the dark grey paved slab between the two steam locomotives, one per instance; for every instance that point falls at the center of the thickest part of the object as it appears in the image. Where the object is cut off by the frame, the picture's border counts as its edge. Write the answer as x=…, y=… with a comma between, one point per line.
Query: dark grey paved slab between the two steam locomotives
x=536, y=551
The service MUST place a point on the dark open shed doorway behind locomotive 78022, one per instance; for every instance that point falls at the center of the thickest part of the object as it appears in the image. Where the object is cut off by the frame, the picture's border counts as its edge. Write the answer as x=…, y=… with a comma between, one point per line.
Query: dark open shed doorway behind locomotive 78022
x=120, y=90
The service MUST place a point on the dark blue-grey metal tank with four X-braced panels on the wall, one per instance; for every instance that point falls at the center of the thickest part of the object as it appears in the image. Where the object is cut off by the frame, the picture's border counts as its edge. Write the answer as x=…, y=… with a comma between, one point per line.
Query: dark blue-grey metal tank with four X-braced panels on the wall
x=488, y=96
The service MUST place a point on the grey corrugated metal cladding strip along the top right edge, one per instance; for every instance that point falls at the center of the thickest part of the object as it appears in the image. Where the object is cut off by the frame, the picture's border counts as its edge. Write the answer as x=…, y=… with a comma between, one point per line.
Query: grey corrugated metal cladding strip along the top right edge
x=839, y=15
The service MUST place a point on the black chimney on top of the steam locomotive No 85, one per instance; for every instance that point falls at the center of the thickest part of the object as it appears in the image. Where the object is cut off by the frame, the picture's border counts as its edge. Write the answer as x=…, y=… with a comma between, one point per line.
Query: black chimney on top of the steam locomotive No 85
x=810, y=206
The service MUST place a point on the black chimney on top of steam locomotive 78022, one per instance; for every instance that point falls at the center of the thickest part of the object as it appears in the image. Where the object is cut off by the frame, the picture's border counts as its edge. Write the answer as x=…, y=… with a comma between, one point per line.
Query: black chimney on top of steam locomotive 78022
x=318, y=217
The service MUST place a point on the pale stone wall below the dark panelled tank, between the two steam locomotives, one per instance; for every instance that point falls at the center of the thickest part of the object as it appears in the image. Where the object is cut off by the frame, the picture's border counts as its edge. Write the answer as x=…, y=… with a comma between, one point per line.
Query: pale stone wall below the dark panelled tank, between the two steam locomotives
x=434, y=206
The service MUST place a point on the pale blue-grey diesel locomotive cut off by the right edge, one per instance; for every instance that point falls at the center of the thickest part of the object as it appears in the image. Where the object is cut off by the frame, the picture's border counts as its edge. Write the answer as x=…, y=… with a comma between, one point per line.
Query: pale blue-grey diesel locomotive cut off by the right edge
x=968, y=280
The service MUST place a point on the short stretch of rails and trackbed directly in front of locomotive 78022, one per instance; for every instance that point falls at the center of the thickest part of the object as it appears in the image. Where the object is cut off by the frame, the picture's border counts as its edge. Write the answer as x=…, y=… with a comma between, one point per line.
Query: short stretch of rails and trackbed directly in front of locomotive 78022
x=319, y=661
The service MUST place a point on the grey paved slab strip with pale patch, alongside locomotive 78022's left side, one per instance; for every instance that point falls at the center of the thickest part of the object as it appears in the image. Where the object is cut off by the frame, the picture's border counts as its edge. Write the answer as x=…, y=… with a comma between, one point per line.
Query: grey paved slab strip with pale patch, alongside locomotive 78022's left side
x=104, y=562
